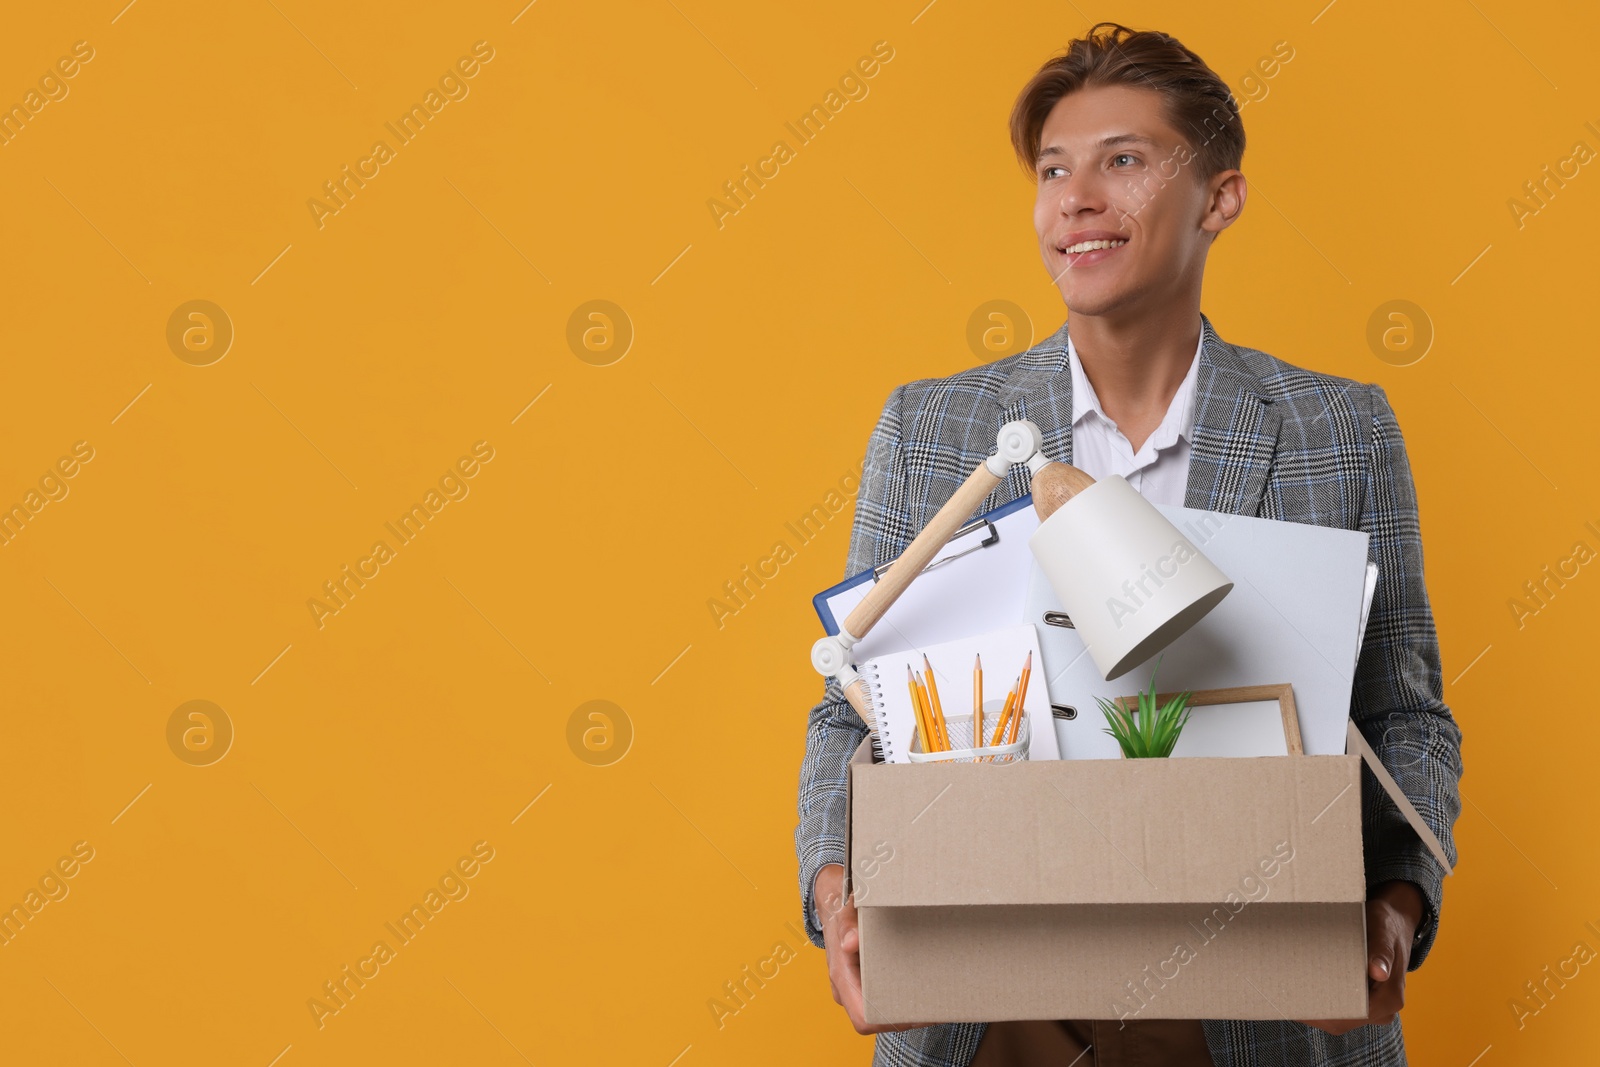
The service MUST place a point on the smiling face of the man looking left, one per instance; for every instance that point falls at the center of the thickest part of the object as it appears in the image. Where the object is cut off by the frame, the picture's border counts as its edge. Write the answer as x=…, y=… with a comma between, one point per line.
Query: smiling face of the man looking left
x=1143, y=188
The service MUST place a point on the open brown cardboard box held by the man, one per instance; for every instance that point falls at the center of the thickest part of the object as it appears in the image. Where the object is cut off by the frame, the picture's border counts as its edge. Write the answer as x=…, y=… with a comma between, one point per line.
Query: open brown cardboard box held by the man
x=1183, y=889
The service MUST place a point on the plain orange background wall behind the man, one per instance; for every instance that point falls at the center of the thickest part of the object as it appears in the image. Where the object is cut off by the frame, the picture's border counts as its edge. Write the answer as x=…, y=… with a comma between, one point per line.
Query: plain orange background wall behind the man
x=431, y=311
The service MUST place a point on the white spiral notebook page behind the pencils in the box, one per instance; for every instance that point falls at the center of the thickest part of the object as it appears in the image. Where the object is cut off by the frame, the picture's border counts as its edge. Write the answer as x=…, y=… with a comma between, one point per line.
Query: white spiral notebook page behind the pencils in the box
x=1004, y=655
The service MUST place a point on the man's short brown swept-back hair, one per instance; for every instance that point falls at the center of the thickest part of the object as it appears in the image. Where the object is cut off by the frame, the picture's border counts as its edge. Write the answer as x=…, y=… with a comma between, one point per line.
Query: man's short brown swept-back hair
x=1198, y=103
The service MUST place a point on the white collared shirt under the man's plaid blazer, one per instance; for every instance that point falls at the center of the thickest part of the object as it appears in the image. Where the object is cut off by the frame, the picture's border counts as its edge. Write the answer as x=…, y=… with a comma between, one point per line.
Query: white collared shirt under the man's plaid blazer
x=1161, y=470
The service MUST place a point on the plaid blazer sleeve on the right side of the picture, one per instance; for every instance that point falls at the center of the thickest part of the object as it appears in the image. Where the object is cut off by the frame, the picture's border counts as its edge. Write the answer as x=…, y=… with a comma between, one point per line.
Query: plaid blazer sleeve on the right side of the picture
x=1398, y=695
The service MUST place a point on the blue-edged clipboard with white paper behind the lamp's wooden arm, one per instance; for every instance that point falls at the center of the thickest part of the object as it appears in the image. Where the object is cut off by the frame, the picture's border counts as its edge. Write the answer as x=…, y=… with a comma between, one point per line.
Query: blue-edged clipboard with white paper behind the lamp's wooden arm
x=977, y=585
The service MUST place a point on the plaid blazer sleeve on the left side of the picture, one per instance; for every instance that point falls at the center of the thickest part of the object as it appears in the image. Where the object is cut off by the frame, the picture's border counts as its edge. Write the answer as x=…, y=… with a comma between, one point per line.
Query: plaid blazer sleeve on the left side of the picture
x=834, y=730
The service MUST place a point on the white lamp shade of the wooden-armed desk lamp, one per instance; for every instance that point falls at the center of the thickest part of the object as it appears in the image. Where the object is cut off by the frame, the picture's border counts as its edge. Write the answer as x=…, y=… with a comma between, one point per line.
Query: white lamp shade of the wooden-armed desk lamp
x=1130, y=581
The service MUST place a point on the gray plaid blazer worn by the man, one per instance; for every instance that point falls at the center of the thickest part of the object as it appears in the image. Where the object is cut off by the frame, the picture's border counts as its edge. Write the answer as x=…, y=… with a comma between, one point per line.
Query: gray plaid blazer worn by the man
x=1271, y=441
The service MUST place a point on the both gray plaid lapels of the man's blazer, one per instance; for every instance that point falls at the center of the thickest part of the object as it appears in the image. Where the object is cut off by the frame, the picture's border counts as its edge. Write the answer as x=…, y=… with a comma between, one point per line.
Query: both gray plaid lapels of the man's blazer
x=1234, y=438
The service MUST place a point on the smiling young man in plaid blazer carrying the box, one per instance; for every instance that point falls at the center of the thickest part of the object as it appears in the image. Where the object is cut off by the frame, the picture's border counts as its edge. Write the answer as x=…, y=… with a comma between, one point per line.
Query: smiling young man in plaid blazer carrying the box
x=1135, y=146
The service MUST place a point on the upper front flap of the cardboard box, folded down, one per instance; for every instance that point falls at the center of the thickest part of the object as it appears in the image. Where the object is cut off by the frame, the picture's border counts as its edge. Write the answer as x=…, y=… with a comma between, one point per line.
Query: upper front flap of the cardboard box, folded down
x=1108, y=833
